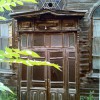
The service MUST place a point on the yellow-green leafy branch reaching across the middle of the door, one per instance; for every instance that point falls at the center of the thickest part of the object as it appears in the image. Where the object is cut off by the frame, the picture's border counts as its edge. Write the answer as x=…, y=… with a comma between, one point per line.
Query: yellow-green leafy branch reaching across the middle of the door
x=14, y=56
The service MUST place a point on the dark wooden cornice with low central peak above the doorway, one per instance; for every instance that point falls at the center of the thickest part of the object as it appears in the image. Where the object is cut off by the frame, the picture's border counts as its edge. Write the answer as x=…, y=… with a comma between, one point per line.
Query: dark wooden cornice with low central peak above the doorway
x=48, y=11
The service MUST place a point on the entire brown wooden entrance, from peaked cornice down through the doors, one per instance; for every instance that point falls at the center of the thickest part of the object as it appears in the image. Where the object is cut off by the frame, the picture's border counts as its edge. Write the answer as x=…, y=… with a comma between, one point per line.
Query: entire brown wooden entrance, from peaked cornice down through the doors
x=55, y=36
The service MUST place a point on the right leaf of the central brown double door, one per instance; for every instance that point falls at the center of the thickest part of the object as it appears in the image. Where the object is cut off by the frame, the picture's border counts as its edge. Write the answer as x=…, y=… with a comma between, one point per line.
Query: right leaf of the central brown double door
x=56, y=78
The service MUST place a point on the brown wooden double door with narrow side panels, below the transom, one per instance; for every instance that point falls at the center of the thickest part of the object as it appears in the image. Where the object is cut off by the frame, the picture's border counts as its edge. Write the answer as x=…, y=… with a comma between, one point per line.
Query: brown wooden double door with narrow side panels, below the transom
x=48, y=83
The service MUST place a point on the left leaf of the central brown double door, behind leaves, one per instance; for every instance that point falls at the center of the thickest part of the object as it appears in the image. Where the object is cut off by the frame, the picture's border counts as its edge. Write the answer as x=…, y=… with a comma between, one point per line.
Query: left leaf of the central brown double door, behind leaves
x=38, y=82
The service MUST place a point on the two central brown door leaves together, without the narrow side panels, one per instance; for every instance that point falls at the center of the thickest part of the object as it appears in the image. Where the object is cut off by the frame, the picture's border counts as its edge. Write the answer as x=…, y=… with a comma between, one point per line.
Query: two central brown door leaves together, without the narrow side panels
x=47, y=83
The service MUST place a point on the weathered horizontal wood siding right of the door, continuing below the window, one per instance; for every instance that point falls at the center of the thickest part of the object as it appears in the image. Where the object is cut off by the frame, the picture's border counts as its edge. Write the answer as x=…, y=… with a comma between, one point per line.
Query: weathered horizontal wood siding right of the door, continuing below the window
x=87, y=82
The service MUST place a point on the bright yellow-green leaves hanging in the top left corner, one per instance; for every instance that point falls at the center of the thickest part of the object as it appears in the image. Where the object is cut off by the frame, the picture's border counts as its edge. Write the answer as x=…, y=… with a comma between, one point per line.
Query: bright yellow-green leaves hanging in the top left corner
x=7, y=4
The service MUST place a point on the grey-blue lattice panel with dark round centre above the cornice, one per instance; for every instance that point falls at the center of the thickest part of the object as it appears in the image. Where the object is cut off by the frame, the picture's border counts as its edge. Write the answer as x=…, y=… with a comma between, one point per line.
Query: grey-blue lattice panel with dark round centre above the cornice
x=52, y=4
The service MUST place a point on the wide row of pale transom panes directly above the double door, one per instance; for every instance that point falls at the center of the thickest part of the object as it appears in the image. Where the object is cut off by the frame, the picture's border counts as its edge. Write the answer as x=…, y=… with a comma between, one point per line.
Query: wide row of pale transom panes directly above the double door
x=48, y=40
